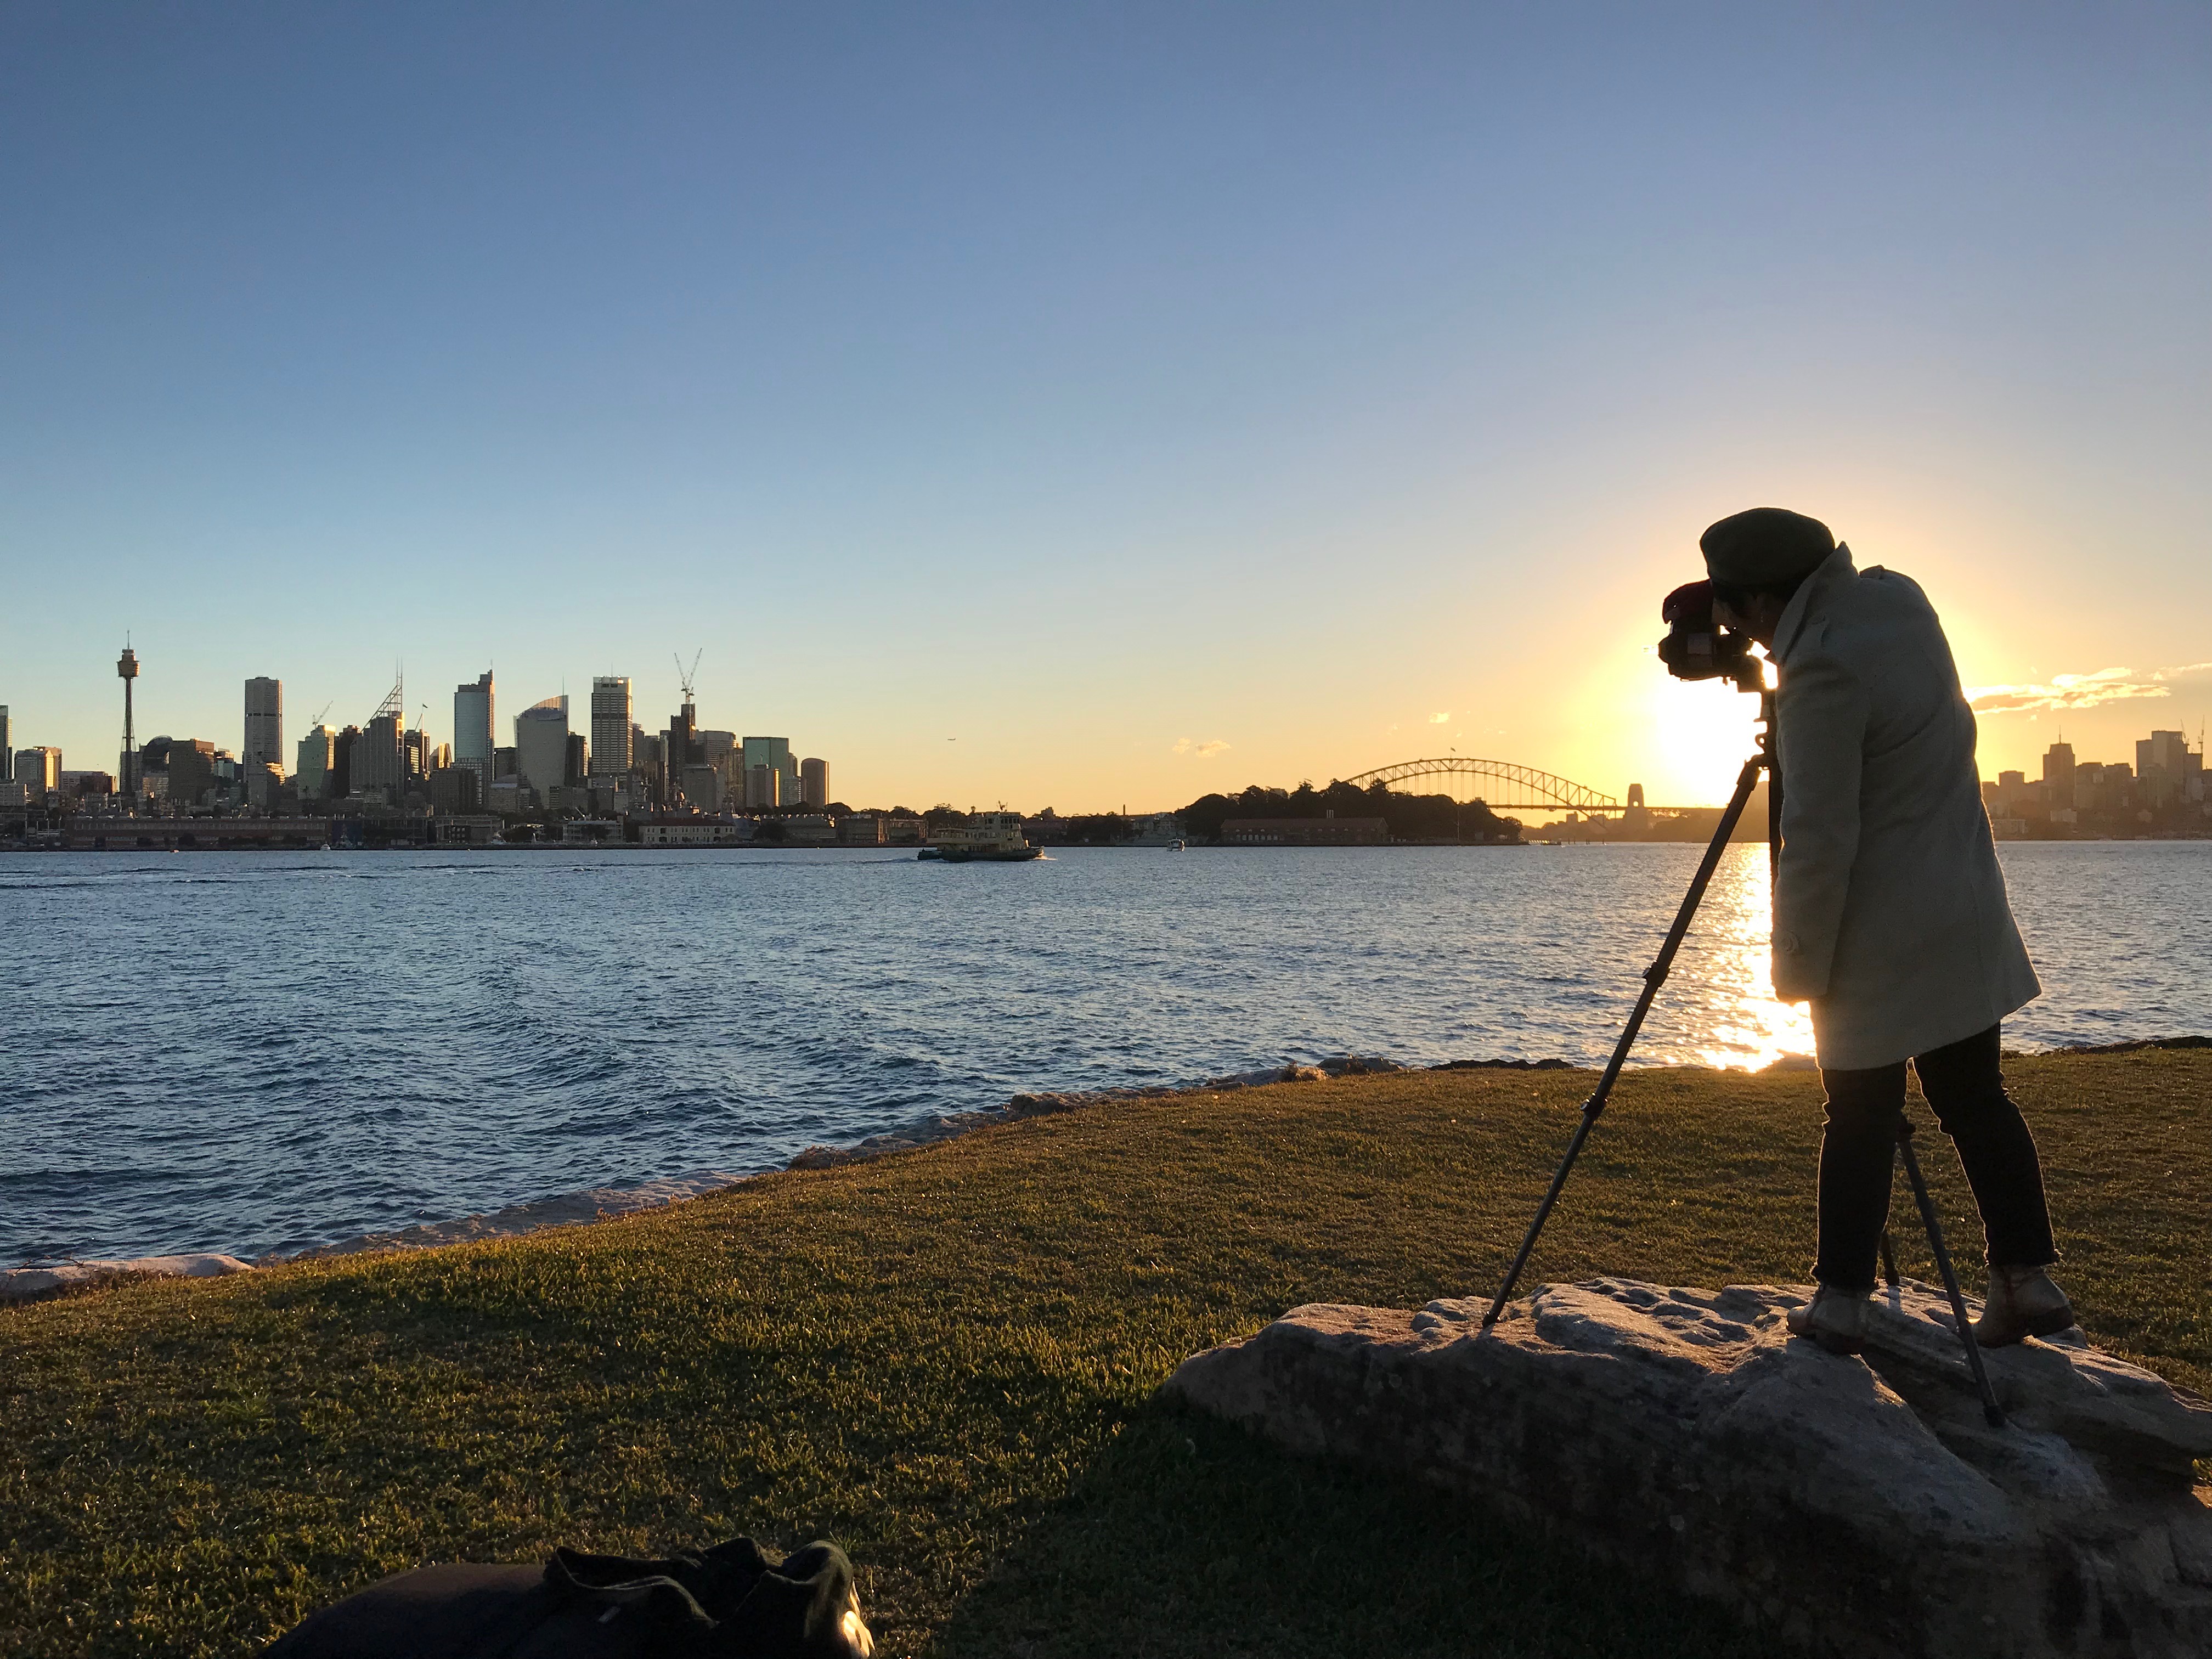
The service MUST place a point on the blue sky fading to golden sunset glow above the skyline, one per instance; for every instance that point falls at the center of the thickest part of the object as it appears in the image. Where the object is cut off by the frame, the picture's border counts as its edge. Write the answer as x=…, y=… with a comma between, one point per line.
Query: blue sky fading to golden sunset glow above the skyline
x=1147, y=397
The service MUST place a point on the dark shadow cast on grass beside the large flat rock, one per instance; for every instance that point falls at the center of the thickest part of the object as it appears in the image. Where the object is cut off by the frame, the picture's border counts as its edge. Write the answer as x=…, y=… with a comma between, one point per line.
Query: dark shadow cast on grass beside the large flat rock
x=1189, y=1536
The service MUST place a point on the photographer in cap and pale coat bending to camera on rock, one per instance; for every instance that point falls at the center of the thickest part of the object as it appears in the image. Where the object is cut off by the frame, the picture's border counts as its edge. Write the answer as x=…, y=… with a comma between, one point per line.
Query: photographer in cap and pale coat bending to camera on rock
x=1890, y=912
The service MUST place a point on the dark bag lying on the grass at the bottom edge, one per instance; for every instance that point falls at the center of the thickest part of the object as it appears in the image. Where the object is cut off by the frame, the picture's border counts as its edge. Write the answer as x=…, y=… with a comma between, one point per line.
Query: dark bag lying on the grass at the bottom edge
x=727, y=1603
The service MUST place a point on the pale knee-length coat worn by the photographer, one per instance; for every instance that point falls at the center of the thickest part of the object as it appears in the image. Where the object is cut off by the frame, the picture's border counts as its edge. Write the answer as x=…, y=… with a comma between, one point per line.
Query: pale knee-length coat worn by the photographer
x=1890, y=912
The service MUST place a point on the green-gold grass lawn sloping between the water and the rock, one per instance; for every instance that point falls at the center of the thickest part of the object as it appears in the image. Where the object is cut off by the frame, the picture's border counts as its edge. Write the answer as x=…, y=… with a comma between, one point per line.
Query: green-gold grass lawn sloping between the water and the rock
x=946, y=1361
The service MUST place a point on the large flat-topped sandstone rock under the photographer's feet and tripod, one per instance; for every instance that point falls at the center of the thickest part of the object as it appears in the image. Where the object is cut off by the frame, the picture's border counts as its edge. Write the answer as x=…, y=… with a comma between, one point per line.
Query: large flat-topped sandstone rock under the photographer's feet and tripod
x=1848, y=1505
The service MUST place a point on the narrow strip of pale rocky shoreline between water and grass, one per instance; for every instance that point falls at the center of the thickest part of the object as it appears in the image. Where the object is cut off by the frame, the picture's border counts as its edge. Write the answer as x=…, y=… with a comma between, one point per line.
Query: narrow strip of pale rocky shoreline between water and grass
x=605, y=1204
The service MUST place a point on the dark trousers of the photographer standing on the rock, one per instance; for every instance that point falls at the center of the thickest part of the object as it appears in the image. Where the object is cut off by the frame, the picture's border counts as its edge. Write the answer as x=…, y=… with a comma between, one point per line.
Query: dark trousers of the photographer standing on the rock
x=1859, y=1149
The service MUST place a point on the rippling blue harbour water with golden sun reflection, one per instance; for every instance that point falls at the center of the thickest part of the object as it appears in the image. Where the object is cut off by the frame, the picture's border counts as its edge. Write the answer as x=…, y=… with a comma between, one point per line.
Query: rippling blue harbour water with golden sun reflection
x=267, y=1052
